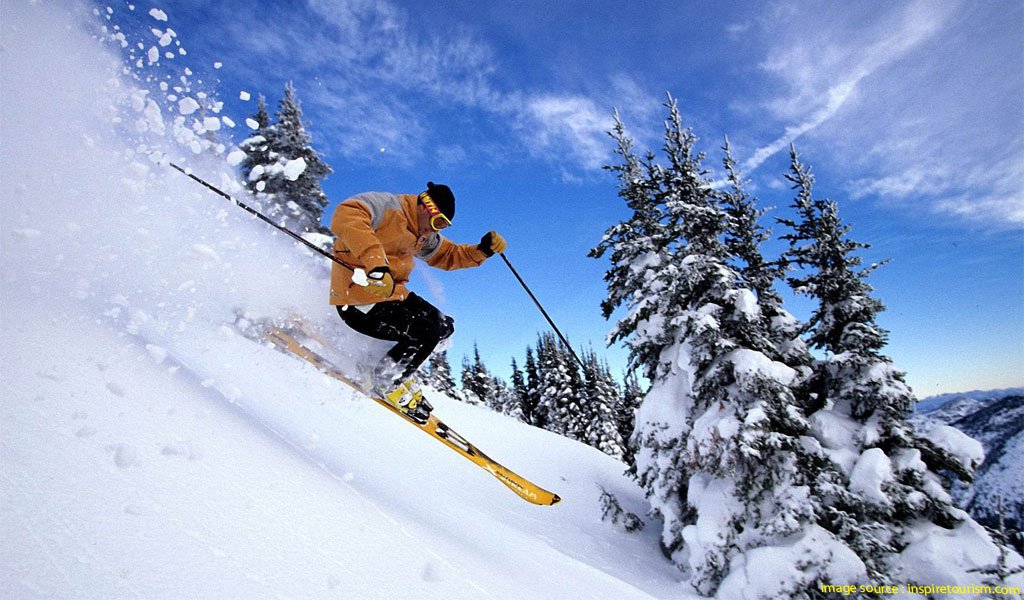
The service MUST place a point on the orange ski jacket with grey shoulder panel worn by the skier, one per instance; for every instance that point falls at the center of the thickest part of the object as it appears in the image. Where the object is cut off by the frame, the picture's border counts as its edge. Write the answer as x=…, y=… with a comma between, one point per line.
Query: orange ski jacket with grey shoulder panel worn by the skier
x=379, y=230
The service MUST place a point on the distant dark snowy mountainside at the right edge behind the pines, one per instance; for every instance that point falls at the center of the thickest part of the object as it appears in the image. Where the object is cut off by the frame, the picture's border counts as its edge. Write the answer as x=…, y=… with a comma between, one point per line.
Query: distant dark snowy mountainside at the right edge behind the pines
x=997, y=420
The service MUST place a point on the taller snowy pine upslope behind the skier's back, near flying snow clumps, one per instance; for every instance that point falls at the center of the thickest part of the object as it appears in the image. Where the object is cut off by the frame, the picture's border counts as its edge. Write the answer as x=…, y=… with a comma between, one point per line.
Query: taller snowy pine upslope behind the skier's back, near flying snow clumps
x=293, y=181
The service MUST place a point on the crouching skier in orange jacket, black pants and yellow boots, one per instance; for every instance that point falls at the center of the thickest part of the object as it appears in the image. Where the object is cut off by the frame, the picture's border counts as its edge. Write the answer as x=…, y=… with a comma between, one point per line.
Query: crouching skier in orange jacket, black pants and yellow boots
x=378, y=235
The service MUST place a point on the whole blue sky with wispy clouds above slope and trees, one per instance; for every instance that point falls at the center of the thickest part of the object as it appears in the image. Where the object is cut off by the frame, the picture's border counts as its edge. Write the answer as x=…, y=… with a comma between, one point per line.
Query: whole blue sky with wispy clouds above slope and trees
x=911, y=114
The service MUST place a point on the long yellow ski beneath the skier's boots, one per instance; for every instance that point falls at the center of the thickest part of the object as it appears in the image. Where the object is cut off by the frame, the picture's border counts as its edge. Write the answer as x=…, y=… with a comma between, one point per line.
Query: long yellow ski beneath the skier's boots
x=434, y=426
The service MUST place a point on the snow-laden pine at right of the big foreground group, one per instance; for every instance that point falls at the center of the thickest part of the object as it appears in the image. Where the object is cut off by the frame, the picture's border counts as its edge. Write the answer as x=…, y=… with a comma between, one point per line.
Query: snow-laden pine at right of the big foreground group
x=891, y=504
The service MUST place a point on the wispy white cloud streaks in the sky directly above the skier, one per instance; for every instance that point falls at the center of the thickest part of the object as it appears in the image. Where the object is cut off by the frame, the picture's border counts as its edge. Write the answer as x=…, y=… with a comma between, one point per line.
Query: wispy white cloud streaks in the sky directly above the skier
x=383, y=79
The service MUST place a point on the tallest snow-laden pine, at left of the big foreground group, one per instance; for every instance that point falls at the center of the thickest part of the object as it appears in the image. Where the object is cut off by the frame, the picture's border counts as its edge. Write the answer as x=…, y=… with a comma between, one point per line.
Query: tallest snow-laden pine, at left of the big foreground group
x=720, y=437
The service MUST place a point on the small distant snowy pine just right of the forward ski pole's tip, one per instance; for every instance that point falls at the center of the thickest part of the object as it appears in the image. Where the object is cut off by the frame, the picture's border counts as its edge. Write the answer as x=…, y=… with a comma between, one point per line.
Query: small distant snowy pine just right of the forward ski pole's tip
x=603, y=404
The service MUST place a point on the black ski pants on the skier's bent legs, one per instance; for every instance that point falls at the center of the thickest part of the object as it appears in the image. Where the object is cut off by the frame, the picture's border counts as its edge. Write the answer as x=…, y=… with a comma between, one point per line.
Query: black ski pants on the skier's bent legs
x=414, y=324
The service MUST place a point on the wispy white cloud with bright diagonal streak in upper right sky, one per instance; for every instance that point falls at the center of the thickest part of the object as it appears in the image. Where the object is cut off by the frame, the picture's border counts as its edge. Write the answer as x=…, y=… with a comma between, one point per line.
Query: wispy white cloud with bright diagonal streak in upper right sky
x=908, y=106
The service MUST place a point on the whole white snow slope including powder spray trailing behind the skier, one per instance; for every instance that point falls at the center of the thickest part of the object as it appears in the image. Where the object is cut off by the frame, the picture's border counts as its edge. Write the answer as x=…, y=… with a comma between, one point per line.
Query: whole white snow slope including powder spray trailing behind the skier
x=149, y=451
